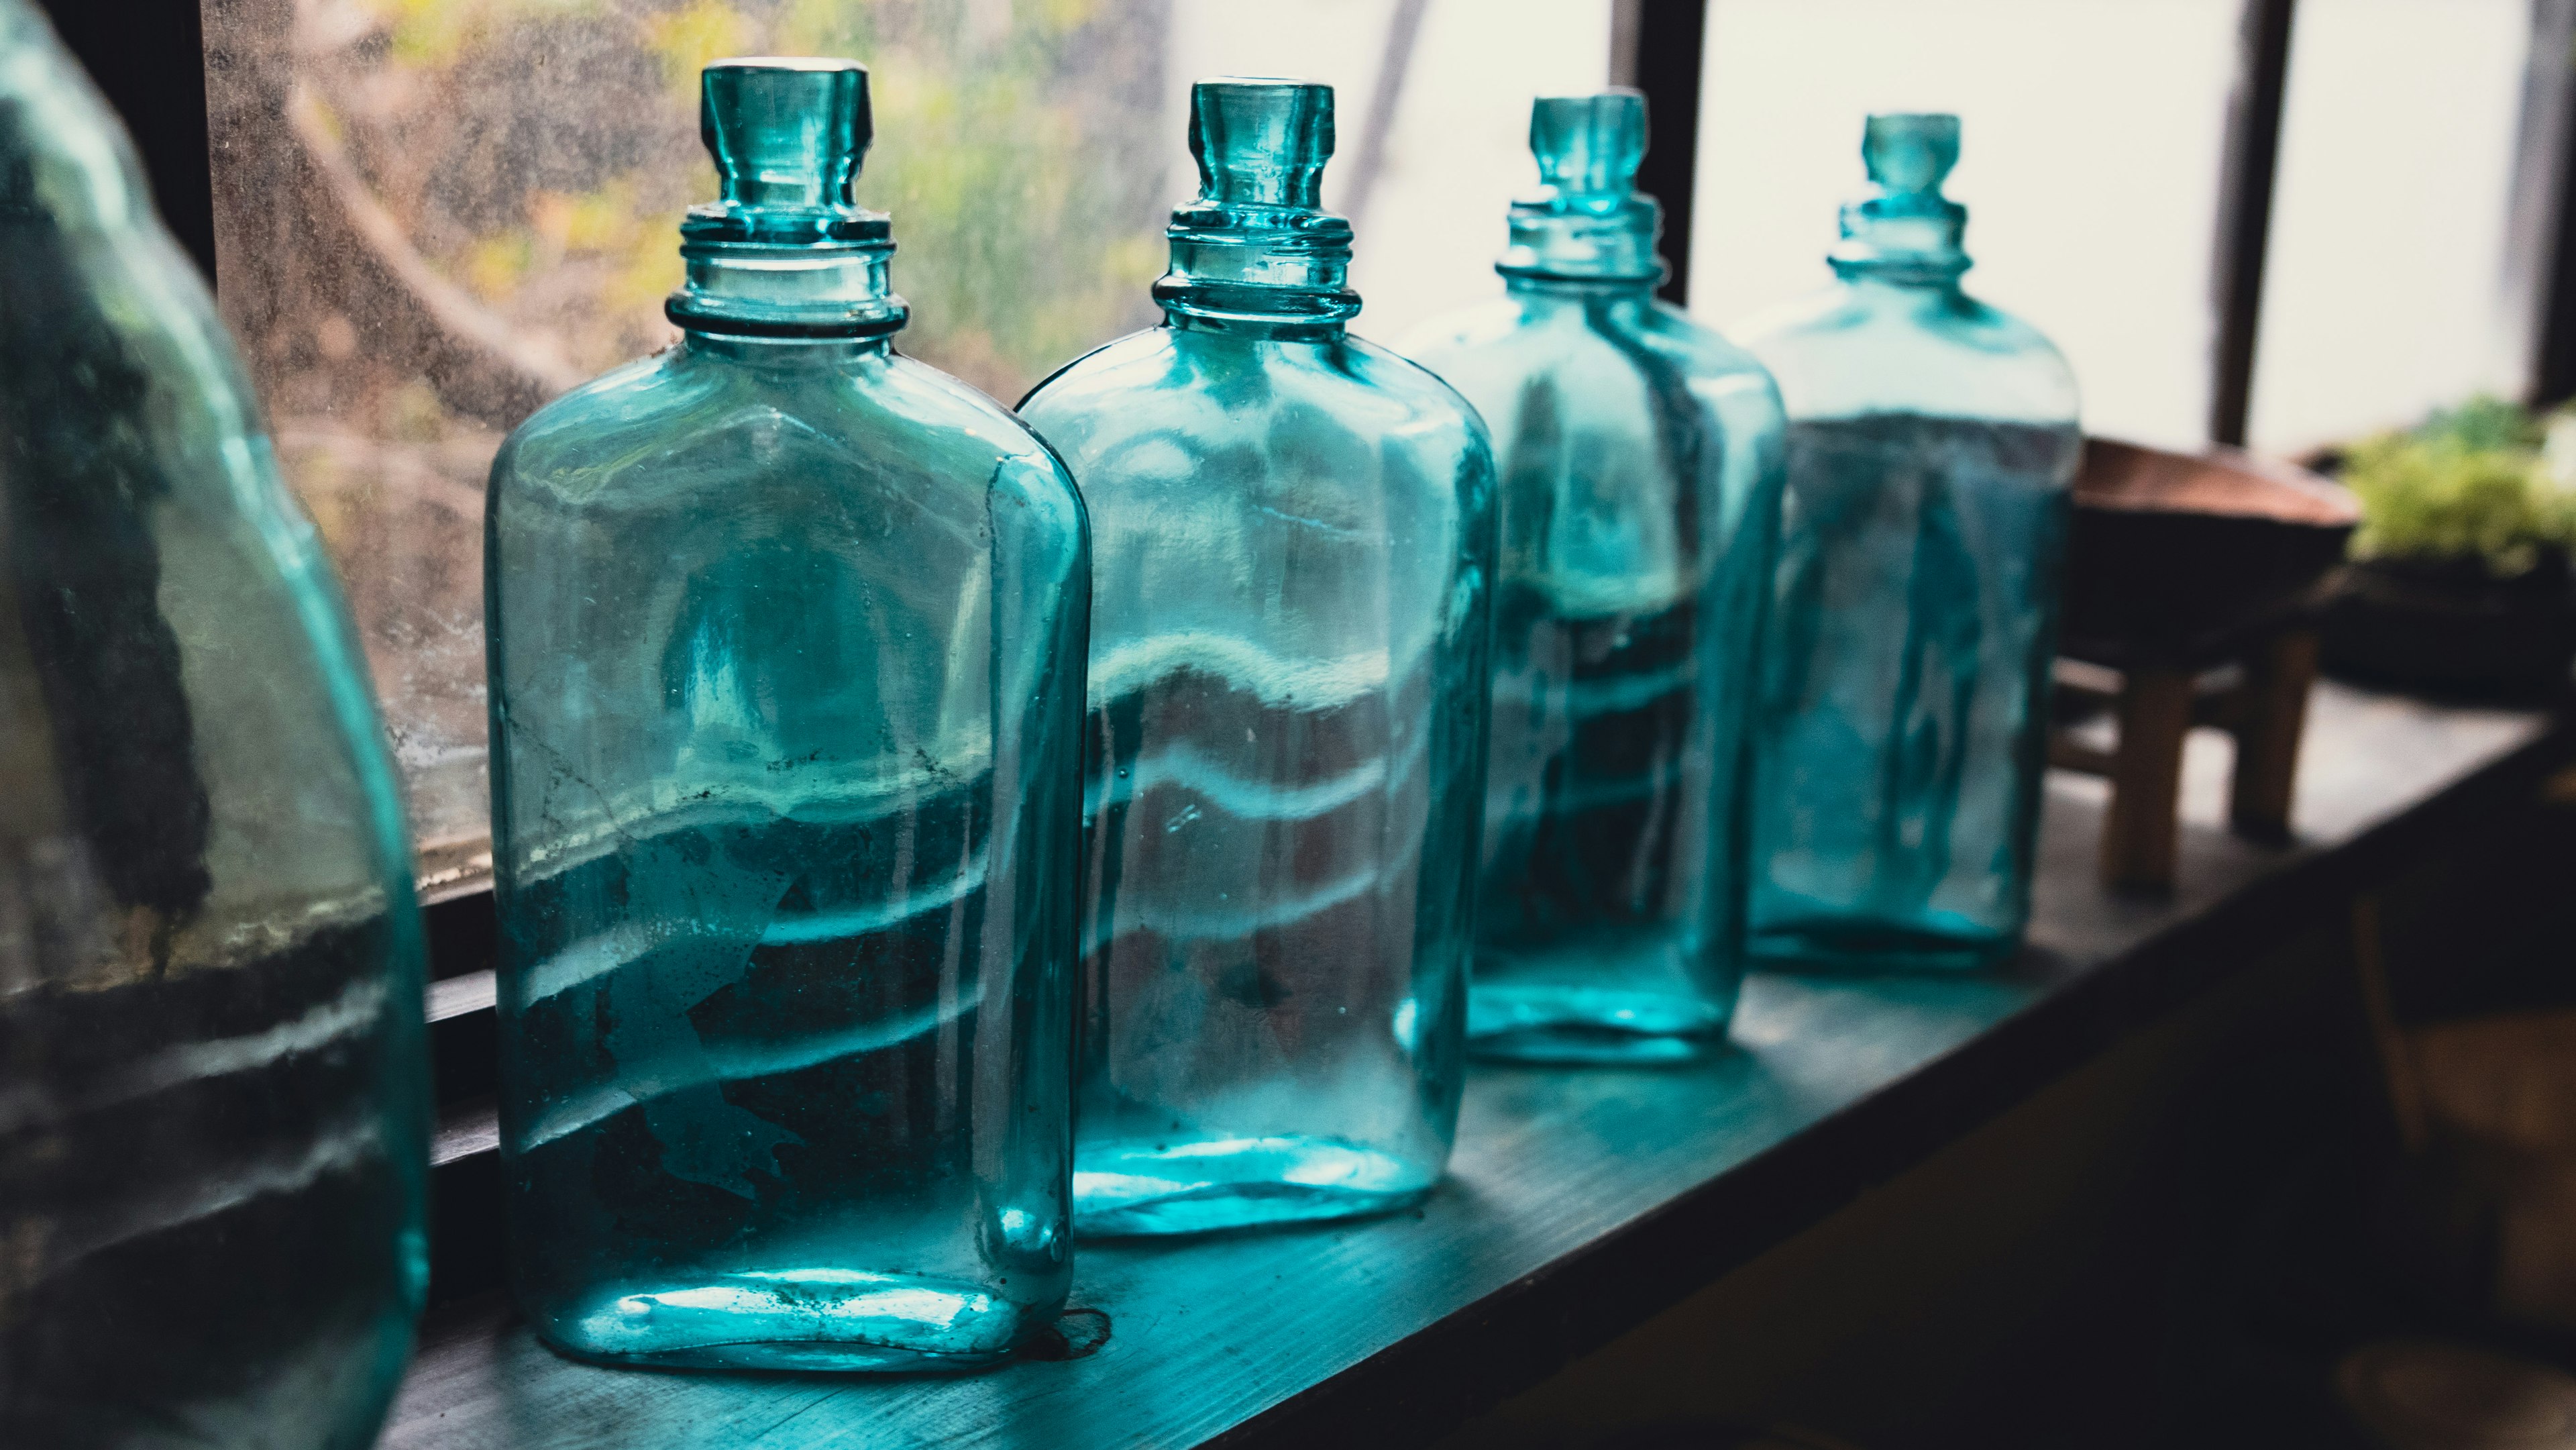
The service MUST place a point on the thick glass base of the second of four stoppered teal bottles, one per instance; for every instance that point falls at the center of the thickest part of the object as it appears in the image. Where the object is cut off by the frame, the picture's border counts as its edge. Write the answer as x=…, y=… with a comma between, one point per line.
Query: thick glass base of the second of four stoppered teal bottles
x=1235, y=1183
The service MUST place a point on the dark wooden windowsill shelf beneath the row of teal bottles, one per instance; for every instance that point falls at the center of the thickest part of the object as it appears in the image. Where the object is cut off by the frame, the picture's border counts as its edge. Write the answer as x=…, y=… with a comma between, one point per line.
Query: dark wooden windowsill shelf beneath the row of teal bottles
x=1580, y=1201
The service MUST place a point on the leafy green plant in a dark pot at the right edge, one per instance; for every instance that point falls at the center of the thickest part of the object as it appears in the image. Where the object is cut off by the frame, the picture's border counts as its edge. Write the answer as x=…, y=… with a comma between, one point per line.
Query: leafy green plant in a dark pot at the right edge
x=2459, y=576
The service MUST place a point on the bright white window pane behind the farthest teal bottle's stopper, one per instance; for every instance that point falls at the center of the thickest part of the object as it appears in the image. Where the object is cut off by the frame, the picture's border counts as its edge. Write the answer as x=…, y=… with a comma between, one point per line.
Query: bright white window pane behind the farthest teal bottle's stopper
x=2088, y=161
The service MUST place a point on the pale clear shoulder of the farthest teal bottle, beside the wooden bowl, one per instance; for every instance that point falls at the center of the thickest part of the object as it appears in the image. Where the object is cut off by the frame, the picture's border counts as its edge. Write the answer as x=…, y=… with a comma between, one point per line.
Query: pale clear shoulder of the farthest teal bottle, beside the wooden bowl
x=1936, y=352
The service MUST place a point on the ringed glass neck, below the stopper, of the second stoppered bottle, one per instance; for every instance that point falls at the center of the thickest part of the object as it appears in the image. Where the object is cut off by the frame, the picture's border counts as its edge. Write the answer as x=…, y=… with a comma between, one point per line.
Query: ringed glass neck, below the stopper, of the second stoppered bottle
x=1258, y=269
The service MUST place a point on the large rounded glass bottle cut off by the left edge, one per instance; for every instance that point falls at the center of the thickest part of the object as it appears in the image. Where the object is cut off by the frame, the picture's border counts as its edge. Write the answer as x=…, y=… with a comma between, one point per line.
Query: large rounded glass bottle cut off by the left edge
x=213, y=1086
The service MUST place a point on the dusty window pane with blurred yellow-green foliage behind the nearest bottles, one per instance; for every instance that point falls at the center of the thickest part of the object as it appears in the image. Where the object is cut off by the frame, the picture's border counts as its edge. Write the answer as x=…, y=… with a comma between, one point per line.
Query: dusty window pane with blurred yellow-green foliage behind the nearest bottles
x=434, y=215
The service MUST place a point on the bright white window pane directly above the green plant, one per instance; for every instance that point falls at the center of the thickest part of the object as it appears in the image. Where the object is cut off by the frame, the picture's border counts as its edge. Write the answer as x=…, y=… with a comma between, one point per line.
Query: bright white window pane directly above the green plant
x=2384, y=285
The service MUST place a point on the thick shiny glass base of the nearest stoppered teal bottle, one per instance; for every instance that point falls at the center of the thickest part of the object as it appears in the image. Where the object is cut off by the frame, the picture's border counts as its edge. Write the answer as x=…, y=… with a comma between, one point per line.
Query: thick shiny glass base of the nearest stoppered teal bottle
x=795, y=1320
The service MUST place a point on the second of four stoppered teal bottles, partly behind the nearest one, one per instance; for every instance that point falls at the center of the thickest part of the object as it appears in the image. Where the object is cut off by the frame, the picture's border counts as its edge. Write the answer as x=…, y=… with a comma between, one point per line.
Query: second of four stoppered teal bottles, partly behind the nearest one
x=1294, y=540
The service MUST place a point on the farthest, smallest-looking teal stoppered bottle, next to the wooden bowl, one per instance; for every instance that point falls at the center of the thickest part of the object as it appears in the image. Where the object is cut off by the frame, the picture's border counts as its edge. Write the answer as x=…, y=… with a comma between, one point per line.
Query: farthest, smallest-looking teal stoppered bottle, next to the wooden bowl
x=1931, y=455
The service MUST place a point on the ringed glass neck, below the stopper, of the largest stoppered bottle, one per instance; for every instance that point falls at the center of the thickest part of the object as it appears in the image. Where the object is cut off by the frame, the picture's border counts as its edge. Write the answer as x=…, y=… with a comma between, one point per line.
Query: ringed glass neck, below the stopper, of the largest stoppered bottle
x=772, y=282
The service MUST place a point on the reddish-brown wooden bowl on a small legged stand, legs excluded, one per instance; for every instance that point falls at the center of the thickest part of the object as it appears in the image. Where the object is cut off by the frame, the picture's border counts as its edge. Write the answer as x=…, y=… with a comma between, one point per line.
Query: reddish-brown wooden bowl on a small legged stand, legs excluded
x=2173, y=558
